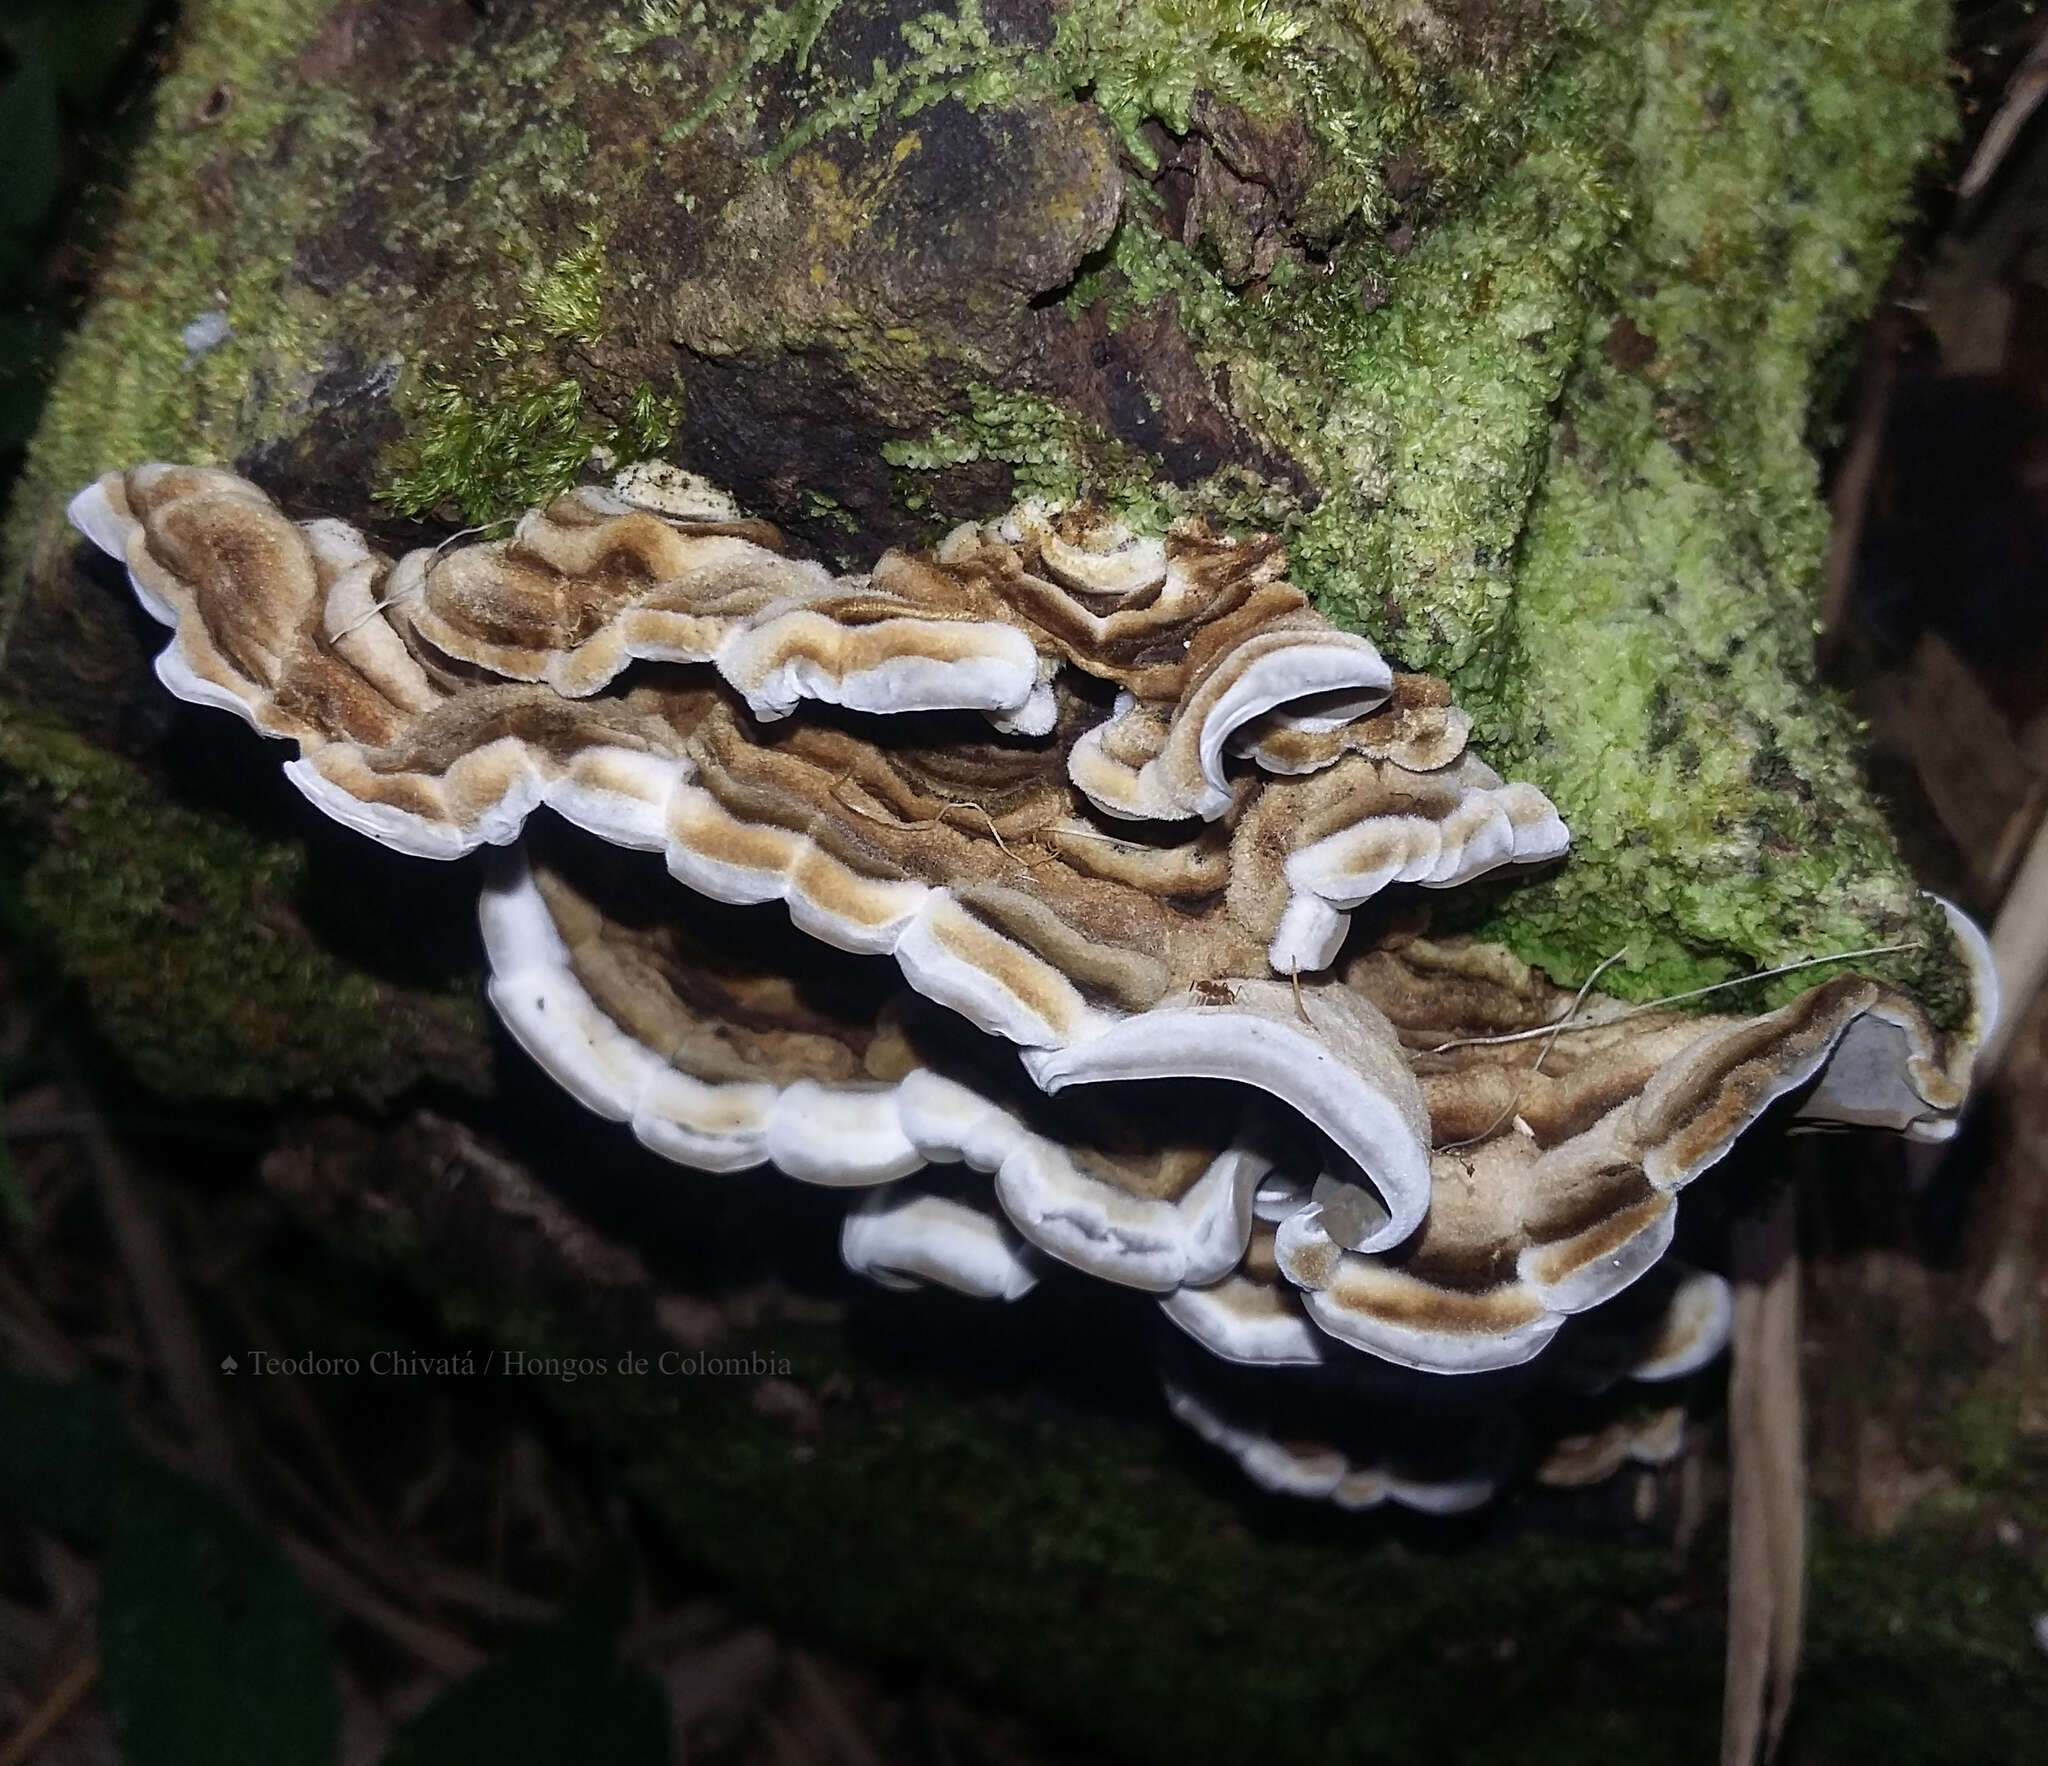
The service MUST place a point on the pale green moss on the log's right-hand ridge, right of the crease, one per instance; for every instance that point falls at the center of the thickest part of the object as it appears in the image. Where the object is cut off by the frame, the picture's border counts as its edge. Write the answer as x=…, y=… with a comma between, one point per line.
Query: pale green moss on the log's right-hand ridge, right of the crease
x=1670, y=571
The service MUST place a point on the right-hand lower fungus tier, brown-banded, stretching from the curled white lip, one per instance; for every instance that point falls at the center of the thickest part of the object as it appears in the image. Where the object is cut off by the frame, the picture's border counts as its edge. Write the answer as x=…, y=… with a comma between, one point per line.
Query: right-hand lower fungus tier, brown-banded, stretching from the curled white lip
x=1558, y=1159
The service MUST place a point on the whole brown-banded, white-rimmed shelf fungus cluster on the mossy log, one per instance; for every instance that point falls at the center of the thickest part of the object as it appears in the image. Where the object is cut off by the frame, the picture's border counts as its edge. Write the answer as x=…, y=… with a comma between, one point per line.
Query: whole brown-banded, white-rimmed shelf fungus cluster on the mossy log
x=1017, y=892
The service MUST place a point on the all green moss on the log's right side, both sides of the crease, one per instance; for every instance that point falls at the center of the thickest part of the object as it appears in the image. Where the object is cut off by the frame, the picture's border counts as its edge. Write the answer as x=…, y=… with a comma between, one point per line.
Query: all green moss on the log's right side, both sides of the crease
x=1672, y=224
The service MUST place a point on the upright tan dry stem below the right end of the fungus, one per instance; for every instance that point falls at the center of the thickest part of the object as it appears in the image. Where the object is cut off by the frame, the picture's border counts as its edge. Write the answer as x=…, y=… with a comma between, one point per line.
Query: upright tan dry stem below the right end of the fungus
x=1768, y=1497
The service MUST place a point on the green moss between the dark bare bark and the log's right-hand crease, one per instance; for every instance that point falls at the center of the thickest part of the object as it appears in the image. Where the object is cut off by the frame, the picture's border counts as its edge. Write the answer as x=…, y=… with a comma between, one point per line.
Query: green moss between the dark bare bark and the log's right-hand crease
x=1420, y=417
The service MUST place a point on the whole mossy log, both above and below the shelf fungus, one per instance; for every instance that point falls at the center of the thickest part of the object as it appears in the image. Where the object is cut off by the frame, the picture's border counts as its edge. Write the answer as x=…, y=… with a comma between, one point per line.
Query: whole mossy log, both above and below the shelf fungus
x=1512, y=321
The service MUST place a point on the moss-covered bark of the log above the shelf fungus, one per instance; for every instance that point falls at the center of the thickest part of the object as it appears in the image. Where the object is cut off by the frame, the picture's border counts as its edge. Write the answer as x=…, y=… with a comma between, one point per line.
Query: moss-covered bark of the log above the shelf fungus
x=1512, y=319
